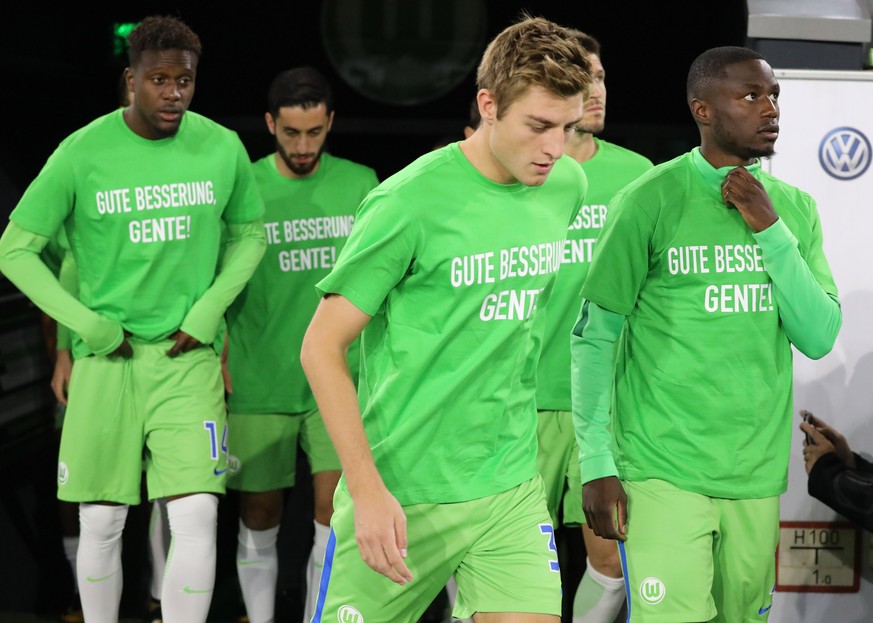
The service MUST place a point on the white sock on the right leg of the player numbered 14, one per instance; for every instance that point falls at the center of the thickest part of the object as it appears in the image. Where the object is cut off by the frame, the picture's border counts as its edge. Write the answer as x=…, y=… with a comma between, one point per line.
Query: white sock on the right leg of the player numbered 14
x=189, y=577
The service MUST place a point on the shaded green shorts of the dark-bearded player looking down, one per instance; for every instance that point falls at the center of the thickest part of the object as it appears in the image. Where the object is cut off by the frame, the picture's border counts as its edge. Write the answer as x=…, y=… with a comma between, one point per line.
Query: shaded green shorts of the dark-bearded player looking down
x=263, y=449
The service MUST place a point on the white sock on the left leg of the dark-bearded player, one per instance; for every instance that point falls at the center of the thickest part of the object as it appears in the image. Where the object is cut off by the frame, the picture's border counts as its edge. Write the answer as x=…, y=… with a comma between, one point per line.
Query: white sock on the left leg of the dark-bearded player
x=257, y=565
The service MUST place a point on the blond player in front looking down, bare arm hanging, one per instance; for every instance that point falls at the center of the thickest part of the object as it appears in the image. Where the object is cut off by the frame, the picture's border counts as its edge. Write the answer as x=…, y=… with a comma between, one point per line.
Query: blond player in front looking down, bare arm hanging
x=445, y=278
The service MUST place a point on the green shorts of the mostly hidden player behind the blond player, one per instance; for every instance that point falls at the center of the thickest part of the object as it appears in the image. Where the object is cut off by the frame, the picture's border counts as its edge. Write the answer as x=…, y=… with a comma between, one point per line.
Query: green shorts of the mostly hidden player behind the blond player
x=558, y=463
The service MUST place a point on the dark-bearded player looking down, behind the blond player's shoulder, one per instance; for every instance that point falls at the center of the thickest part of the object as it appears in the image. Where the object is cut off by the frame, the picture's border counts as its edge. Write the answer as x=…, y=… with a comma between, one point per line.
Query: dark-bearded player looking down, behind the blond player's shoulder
x=310, y=199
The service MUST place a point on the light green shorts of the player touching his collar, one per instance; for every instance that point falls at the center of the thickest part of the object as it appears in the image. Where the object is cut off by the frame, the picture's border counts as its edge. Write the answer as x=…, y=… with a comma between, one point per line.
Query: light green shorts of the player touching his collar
x=690, y=557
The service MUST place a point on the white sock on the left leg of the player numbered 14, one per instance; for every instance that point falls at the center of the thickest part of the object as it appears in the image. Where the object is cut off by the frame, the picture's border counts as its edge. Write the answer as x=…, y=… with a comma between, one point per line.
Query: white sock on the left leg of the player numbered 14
x=98, y=562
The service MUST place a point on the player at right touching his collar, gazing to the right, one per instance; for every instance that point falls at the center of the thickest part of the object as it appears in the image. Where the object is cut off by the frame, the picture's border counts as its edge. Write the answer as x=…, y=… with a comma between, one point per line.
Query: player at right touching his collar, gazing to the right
x=708, y=271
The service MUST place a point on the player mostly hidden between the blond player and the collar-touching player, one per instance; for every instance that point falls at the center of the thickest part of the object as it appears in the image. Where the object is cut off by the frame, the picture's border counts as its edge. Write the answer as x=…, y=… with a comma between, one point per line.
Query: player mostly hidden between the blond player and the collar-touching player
x=609, y=167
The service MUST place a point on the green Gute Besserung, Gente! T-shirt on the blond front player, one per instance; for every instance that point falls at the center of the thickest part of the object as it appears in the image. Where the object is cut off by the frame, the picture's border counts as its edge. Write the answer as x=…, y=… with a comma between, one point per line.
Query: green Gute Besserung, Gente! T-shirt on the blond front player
x=454, y=269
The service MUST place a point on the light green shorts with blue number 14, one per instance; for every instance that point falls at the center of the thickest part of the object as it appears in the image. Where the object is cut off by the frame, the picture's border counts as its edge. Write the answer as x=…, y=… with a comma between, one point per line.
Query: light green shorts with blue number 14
x=171, y=407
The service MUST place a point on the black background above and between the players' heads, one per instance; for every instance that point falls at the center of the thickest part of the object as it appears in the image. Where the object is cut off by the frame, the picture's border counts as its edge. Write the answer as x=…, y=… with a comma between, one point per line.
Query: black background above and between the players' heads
x=59, y=73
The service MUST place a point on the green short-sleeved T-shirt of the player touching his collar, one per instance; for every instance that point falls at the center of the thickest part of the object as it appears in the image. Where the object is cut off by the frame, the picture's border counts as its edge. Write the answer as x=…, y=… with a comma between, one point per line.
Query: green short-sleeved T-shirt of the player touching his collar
x=703, y=390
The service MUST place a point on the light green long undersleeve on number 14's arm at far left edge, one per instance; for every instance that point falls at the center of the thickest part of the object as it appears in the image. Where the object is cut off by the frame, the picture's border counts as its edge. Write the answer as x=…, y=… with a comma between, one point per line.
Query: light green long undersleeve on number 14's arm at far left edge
x=20, y=261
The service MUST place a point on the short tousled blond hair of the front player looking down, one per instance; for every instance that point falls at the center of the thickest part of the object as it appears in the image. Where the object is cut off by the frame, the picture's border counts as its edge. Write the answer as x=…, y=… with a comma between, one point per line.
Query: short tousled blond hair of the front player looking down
x=533, y=52
